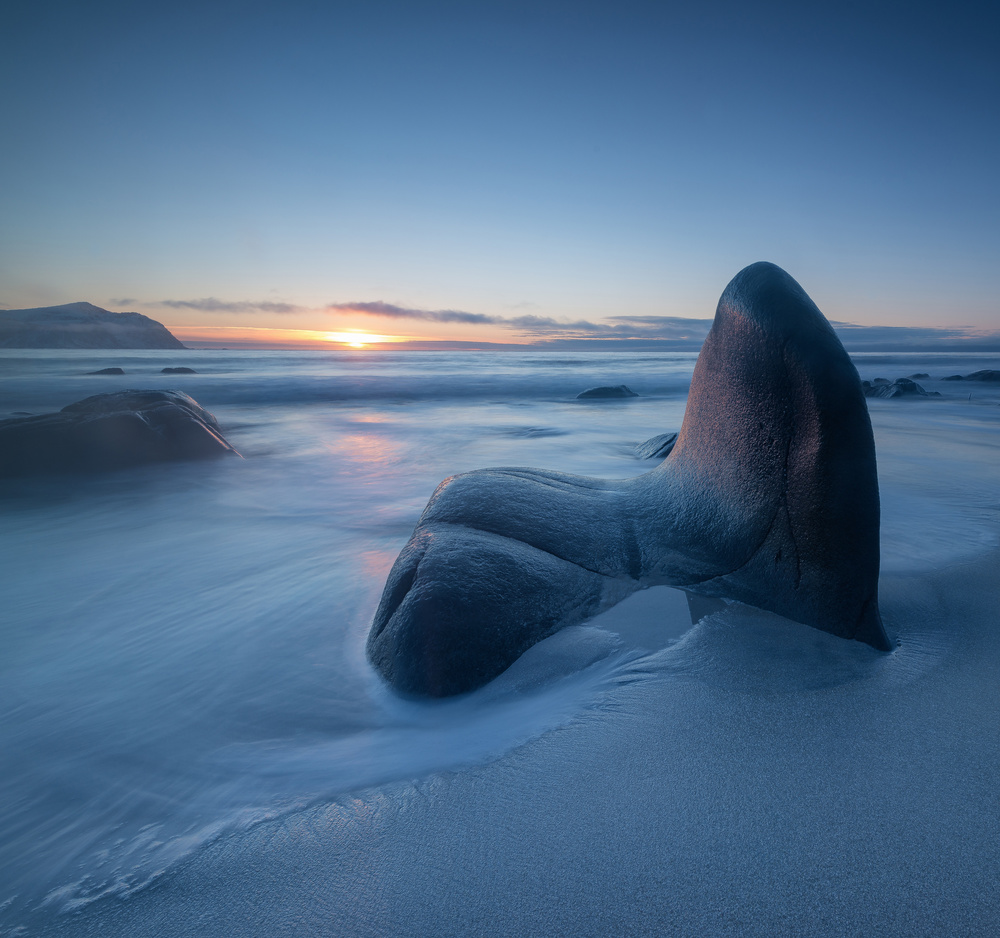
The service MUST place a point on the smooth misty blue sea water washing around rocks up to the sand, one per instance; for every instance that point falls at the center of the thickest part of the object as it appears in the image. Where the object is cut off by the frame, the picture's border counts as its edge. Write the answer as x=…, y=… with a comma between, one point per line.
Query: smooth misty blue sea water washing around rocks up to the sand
x=182, y=646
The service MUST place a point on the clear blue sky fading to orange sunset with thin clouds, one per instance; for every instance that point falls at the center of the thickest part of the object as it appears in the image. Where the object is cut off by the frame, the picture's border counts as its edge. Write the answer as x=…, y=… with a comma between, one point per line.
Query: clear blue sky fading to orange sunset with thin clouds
x=497, y=171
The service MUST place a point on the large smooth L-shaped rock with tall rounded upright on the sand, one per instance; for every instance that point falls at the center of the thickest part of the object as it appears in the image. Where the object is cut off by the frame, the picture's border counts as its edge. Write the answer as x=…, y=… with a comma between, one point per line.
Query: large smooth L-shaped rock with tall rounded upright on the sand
x=769, y=496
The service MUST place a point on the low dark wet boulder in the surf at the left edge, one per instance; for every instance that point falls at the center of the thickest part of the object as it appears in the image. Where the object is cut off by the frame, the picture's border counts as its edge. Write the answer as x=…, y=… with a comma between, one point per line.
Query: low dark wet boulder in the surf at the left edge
x=111, y=431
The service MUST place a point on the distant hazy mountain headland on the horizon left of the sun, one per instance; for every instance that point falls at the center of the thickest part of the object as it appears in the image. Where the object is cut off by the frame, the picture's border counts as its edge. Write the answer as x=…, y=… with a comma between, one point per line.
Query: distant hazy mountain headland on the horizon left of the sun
x=81, y=325
